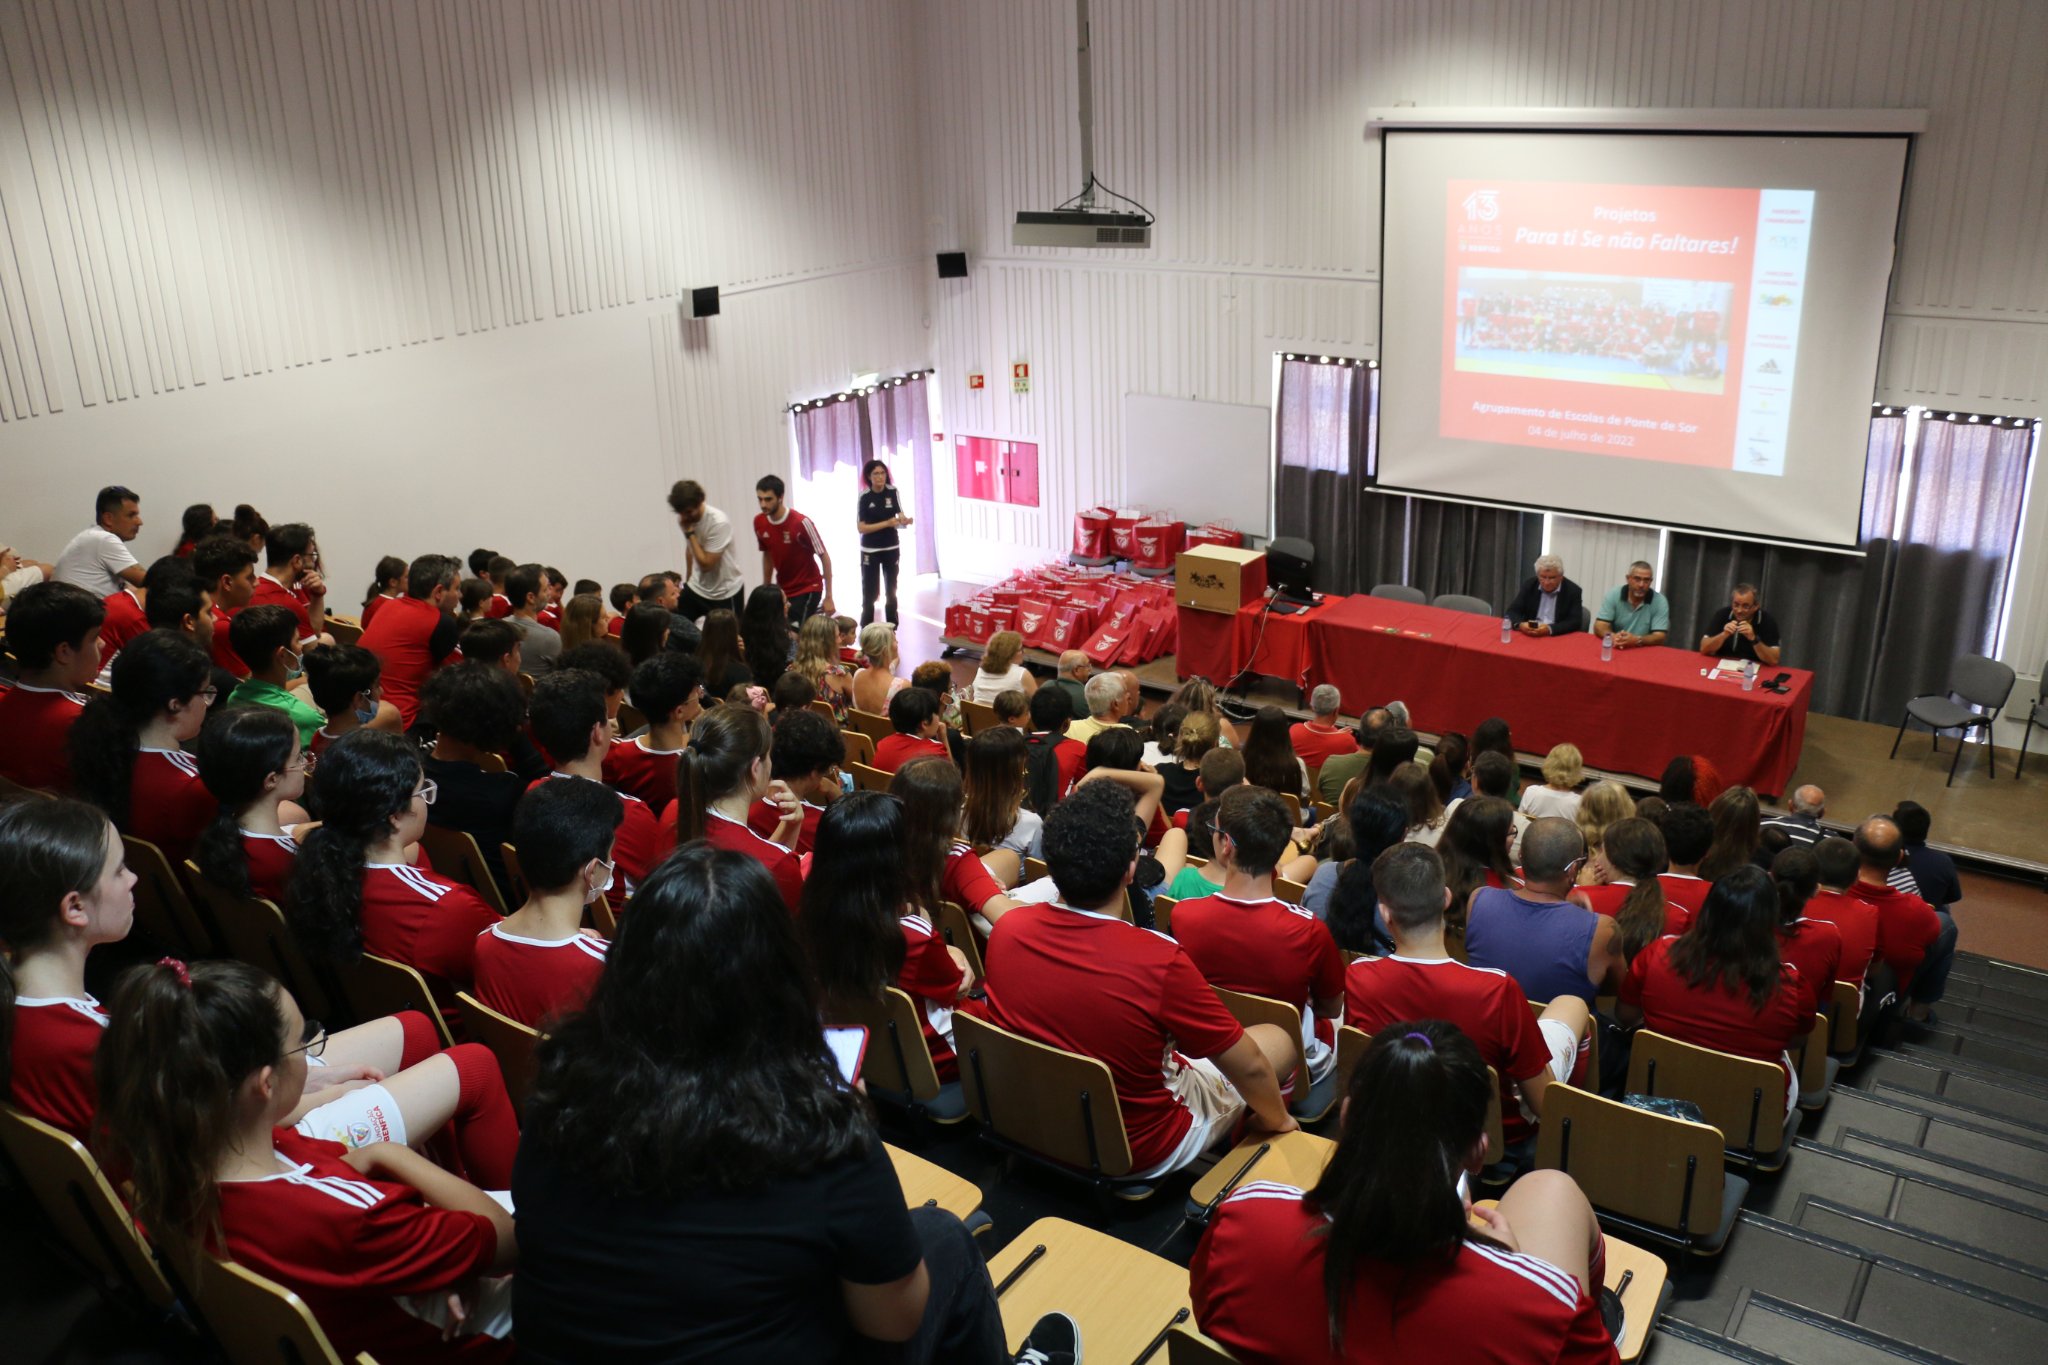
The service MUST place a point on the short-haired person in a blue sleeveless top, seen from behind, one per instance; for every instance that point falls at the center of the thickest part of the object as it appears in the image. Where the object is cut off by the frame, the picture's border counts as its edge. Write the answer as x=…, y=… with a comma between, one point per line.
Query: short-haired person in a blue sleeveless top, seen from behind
x=1537, y=934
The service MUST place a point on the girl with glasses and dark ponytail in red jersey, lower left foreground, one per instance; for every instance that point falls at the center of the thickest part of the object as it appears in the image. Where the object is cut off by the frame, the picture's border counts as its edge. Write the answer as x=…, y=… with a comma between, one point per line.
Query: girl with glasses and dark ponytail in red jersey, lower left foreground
x=200, y=1073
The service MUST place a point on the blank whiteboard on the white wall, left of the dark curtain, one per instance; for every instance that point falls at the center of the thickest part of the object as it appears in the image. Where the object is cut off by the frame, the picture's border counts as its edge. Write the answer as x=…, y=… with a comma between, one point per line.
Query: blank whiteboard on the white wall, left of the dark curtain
x=1199, y=461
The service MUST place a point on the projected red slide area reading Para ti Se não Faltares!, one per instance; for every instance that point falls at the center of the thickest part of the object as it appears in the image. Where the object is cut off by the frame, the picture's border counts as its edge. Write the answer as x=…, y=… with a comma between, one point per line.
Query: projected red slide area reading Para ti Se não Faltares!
x=1598, y=318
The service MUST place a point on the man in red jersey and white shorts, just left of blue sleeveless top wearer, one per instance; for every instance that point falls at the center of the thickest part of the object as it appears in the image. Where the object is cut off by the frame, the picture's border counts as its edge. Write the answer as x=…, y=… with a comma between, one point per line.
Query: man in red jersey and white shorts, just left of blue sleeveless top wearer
x=1422, y=981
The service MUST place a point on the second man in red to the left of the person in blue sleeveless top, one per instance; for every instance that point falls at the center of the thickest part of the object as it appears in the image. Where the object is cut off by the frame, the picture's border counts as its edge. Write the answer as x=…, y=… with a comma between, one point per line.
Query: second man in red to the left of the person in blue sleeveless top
x=1248, y=940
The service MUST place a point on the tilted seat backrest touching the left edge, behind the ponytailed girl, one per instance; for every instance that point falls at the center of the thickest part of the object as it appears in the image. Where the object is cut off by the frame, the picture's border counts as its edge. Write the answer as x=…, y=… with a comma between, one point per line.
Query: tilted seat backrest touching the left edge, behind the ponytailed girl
x=81, y=1206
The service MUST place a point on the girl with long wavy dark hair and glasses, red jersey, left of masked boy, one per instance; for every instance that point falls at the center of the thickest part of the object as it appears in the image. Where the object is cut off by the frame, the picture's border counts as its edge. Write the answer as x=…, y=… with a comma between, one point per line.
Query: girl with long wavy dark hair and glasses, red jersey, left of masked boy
x=353, y=889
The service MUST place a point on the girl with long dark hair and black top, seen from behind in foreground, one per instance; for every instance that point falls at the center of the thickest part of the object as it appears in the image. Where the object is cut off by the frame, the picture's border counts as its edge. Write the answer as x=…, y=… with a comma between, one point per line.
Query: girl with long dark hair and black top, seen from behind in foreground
x=699, y=1182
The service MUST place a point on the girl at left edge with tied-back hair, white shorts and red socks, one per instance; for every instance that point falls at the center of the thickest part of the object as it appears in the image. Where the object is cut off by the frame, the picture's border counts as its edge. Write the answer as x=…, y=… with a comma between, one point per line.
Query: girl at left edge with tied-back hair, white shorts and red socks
x=65, y=891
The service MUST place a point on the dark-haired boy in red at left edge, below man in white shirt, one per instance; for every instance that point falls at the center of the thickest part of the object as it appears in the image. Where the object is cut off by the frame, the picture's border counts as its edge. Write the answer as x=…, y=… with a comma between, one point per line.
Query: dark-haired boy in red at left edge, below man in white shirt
x=54, y=633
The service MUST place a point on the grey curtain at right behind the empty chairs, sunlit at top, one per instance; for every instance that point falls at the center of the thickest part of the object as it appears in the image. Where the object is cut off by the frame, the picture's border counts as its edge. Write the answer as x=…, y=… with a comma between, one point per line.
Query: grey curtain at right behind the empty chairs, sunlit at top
x=1877, y=631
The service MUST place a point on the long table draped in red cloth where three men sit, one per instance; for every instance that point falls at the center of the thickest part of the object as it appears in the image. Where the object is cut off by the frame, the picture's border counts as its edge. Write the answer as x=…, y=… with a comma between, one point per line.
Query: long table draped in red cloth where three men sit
x=1631, y=713
